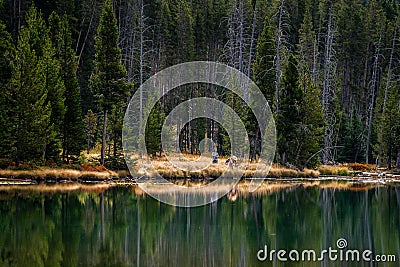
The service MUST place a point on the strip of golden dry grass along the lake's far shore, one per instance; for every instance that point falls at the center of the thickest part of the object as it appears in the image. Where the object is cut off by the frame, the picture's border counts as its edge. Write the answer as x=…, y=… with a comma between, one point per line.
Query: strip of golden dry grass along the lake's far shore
x=163, y=167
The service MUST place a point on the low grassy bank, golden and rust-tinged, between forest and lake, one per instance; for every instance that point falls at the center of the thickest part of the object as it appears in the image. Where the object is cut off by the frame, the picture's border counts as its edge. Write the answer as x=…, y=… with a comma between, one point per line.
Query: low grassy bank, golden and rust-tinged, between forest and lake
x=166, y=169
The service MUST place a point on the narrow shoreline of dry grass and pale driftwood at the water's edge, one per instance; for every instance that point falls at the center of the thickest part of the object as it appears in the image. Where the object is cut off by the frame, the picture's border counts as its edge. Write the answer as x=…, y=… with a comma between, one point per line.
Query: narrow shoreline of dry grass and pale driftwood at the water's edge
x=276, y=173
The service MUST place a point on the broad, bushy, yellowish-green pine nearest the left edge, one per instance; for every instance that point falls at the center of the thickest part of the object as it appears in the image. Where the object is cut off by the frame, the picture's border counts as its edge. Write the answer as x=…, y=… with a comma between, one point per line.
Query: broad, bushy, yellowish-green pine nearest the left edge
x=27, y=96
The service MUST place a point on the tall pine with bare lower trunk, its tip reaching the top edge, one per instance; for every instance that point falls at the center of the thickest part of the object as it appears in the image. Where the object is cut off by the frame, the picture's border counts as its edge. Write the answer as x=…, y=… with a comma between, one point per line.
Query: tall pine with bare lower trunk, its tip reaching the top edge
x=107, y=80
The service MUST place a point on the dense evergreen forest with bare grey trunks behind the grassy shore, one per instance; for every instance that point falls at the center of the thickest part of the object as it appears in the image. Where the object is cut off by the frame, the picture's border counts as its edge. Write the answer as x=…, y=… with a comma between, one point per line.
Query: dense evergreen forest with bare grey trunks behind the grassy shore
x=329, y=69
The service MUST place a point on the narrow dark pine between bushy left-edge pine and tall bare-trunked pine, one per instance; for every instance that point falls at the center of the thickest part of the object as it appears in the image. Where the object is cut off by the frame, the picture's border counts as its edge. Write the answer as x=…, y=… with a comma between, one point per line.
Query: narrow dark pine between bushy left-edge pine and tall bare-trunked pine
x=73, y=132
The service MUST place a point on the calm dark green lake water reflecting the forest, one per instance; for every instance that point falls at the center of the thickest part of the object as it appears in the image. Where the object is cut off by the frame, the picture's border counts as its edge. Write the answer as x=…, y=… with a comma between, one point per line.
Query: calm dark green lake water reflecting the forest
x=118, y=227
